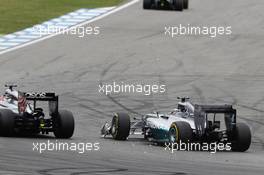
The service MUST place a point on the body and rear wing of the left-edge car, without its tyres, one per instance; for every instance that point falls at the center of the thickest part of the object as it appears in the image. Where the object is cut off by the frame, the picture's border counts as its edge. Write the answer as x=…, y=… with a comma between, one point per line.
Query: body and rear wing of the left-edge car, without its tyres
x=26, y=117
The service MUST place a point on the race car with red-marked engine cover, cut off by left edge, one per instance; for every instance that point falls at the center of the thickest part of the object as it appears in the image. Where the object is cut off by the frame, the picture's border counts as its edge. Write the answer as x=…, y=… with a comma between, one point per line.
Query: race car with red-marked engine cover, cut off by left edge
x=19, y=117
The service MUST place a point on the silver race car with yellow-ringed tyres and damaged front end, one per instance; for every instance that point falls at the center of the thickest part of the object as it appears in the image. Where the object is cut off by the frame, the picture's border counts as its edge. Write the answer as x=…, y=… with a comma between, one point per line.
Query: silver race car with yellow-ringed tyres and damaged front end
x=187, y=123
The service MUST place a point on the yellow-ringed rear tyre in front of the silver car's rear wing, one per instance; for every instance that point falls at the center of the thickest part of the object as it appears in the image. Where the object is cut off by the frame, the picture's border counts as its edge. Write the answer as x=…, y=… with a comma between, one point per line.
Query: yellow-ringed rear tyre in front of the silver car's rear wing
x=180, y=132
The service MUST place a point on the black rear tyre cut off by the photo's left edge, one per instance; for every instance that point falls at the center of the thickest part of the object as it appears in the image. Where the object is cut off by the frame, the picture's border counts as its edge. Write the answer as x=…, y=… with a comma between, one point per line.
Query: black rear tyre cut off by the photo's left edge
x=7, y=122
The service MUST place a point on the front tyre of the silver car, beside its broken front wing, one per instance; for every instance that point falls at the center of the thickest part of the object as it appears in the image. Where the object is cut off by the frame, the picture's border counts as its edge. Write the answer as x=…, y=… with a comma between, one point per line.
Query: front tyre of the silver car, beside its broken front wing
x=120, y=126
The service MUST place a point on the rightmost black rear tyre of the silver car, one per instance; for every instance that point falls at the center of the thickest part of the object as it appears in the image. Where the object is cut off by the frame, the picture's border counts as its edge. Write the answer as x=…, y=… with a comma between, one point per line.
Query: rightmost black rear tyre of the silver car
x=241, y=138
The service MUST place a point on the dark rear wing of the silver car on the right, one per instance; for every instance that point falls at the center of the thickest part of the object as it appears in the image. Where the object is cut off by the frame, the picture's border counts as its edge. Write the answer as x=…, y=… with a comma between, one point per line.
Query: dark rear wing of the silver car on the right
x=201, y=116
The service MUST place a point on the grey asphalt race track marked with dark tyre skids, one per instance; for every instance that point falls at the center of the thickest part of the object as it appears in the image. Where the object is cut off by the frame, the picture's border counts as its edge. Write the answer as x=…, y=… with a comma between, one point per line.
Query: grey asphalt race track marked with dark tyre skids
x=132, y=47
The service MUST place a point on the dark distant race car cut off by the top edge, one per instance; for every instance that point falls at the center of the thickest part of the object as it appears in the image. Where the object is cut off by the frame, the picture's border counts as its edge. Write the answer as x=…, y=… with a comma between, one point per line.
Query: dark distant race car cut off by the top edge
x=178, y=5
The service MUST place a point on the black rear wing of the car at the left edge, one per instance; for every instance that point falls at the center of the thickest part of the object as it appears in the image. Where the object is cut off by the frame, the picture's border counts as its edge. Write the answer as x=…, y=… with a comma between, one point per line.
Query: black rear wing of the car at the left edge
x=51, y=98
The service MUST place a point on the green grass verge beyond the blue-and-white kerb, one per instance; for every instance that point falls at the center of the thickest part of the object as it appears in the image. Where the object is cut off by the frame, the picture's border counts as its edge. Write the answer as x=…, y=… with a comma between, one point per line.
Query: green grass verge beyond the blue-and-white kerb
x=19, y=14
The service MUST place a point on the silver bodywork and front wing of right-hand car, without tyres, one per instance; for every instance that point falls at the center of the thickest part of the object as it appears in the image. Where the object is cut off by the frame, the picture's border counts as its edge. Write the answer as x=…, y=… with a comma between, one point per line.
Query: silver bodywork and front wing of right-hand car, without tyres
x=155, y=126
